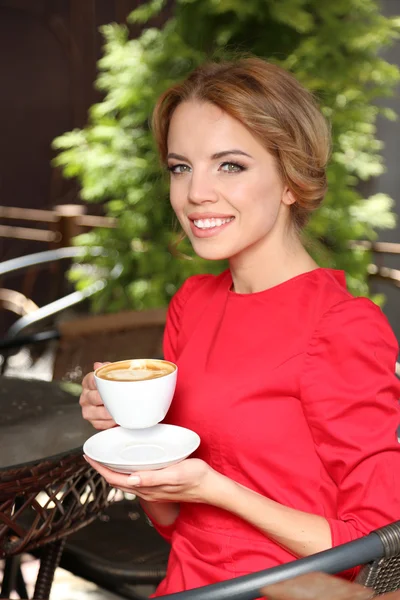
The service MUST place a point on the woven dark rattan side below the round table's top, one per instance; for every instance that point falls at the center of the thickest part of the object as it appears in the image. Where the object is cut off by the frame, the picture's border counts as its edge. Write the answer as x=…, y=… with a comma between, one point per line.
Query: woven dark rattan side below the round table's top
x=47, y=501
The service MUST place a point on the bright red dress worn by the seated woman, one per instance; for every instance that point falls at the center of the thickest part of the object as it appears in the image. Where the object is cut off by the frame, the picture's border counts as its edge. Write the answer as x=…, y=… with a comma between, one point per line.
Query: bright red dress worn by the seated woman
x=293, y=393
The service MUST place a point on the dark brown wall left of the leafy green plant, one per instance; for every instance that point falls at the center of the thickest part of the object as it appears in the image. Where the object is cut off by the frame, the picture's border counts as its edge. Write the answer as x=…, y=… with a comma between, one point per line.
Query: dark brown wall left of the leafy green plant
x=48, y=55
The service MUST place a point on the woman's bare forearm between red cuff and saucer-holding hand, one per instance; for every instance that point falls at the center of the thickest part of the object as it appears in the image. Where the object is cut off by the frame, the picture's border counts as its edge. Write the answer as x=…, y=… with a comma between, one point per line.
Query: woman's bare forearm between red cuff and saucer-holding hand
x=299, y=532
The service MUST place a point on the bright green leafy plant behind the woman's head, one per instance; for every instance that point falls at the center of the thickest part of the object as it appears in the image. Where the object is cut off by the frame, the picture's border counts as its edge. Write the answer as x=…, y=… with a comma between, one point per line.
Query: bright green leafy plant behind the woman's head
x=333, y=48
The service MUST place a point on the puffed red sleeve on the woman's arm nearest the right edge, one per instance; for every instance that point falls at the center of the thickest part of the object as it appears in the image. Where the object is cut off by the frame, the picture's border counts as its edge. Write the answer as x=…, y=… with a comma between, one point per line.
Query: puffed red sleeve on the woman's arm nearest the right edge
x=350, y=396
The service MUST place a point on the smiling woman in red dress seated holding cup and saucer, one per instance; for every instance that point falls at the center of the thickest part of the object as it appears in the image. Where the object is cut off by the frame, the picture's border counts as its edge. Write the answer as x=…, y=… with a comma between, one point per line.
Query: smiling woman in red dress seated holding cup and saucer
x=287, y=378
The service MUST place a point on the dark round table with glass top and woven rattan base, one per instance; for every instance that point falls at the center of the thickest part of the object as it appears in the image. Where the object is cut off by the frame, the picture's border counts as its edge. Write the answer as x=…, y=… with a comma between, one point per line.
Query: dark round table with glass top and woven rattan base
x=47, y=489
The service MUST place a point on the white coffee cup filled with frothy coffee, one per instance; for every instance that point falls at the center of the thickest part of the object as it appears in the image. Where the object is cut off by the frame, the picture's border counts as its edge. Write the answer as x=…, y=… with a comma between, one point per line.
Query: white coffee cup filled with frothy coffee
x=137, y=393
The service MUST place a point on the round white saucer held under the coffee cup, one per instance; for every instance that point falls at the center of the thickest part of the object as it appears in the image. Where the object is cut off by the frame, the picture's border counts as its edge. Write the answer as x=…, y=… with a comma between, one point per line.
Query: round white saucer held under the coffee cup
x=128, y=450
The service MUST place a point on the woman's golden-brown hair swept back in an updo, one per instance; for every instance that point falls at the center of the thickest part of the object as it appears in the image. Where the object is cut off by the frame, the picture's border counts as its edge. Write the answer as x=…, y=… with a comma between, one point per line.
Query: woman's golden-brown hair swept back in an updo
x=275, y=108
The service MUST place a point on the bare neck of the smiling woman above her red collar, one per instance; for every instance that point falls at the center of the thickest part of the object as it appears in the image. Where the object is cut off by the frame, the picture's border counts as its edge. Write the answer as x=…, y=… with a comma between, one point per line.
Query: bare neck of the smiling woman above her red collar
x=274, y=261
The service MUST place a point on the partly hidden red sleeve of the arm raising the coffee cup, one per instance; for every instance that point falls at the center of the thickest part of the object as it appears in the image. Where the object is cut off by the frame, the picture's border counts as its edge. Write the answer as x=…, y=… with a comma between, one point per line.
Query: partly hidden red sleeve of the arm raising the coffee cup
x=170, y=343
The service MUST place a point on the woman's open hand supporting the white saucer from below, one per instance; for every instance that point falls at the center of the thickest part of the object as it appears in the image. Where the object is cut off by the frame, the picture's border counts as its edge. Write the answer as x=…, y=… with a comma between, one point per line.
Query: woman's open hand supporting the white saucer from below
x=191, y=480
